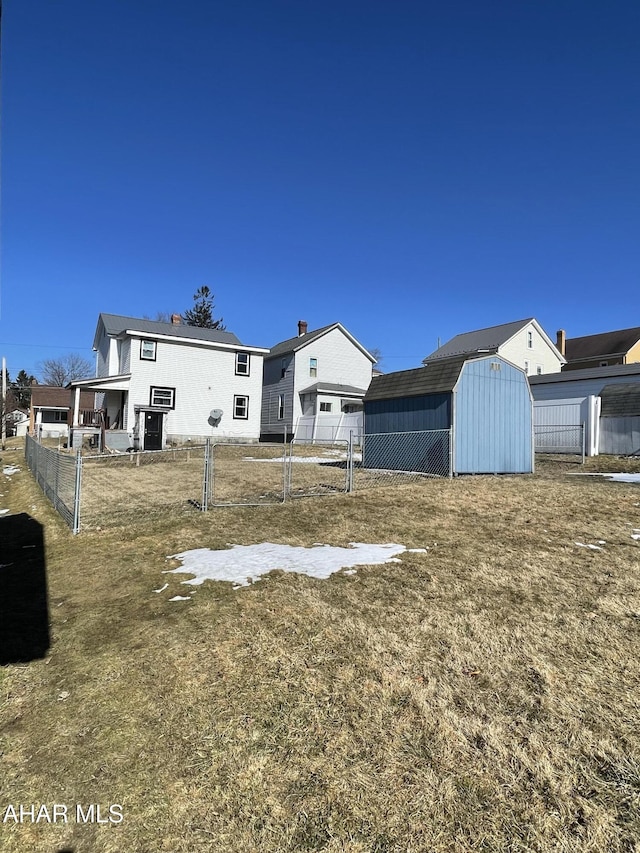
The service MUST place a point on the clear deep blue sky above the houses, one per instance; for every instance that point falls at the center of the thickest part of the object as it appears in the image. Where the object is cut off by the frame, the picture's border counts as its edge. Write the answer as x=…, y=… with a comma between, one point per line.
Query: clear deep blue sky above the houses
x=411, y=169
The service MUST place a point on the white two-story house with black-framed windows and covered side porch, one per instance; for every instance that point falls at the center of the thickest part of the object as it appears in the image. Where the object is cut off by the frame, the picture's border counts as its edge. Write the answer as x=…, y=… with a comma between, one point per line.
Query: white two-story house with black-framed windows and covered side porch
x=167, y=383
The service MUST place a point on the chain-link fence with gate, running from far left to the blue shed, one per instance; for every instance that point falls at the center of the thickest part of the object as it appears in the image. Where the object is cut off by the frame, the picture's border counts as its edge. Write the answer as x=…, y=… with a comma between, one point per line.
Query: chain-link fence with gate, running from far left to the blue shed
x=91, y=492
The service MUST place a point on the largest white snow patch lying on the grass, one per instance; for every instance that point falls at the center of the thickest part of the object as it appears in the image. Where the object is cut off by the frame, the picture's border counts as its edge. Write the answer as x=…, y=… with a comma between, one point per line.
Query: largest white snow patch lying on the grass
x=242, y=564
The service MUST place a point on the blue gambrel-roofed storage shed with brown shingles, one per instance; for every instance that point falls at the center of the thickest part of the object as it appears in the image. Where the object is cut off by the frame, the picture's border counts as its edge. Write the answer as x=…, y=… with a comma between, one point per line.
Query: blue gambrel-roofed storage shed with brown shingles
x=484, y=401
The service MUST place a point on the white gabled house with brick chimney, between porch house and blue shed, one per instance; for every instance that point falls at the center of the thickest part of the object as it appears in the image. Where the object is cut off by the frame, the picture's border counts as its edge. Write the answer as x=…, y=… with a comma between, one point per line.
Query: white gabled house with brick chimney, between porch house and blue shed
x=314, y=385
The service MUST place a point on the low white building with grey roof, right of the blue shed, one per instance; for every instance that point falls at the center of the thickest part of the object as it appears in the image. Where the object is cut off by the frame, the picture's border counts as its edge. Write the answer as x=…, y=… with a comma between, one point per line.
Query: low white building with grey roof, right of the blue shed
x=602, y=399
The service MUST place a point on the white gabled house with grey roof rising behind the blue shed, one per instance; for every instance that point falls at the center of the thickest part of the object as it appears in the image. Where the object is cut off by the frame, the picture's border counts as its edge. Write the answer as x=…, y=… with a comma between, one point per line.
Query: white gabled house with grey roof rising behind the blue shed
x=523, y=343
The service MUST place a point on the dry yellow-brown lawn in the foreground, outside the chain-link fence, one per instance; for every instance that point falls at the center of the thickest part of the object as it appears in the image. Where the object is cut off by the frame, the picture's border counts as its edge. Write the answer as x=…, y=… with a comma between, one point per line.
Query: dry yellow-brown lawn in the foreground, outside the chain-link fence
x=479, y=695
